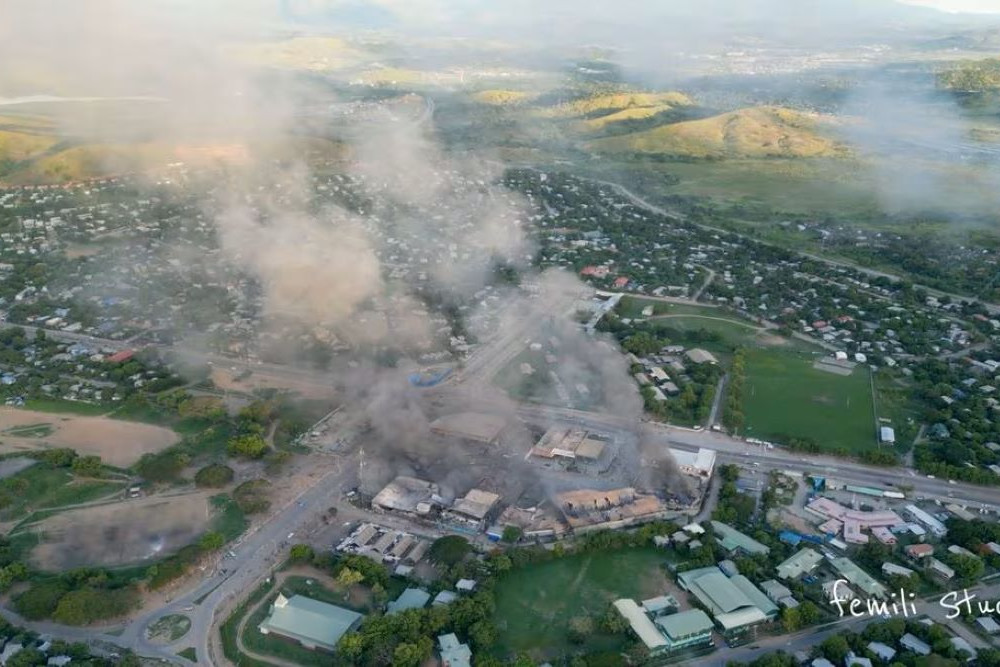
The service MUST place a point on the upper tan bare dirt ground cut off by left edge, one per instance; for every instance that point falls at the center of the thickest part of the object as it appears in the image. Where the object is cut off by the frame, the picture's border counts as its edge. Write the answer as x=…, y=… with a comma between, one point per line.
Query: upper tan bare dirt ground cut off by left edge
x=118, y=443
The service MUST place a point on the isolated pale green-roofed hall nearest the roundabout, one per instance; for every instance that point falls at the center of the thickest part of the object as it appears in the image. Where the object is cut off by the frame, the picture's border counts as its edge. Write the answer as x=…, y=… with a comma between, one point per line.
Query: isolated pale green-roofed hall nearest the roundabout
x=312, y=623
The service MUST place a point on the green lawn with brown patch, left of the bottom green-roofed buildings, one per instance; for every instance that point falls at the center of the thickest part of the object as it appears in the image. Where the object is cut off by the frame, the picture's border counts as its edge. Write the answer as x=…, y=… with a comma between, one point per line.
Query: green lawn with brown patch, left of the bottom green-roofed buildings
x=536, y=603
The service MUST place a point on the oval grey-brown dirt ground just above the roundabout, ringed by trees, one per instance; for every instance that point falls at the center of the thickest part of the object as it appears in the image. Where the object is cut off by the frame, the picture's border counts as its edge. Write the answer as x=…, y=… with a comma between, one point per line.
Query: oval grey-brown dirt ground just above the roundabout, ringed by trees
x=122, y=533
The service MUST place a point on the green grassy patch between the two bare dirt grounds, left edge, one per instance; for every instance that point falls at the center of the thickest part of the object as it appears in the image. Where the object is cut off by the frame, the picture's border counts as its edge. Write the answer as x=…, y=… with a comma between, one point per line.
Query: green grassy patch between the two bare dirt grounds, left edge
x=43, y=486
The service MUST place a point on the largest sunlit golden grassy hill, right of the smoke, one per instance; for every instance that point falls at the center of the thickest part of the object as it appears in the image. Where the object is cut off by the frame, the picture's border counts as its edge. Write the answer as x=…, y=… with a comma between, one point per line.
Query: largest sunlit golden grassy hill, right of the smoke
x=746, y=133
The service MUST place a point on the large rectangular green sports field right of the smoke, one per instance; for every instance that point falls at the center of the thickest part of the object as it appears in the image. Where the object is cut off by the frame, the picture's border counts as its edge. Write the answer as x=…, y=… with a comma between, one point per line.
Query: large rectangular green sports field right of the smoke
x=785, y=395
